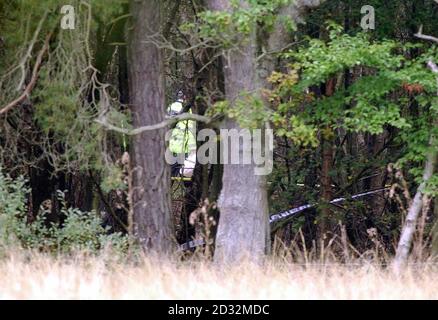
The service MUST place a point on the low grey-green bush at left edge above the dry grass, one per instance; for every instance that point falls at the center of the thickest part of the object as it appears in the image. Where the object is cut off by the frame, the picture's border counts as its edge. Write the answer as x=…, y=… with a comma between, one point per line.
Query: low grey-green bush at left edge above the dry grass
x=80, y=231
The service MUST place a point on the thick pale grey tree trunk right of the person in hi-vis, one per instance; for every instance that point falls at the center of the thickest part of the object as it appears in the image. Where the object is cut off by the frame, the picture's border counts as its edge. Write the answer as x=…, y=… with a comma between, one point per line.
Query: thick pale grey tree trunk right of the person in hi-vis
x=243, y=202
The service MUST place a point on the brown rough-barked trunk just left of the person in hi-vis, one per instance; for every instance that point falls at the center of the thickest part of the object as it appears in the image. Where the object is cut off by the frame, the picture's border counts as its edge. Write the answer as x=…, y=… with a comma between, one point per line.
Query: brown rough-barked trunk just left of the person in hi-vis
x=152, y=221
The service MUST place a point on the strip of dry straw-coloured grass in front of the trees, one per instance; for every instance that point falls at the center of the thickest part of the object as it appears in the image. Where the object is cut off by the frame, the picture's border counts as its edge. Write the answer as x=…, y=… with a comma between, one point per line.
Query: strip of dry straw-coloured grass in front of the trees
x=25, y=275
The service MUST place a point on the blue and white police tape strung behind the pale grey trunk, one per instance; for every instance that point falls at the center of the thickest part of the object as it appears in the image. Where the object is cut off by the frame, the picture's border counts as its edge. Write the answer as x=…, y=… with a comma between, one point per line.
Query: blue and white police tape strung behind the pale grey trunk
x=285, y=214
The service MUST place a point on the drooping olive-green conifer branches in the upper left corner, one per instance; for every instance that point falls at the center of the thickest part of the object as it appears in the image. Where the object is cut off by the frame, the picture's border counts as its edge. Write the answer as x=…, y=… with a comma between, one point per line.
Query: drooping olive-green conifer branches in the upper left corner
x=68, y=94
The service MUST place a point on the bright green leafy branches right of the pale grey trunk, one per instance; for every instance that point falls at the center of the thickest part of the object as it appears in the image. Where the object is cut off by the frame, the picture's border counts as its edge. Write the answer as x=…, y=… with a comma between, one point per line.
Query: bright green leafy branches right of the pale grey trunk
x=367, y=105
